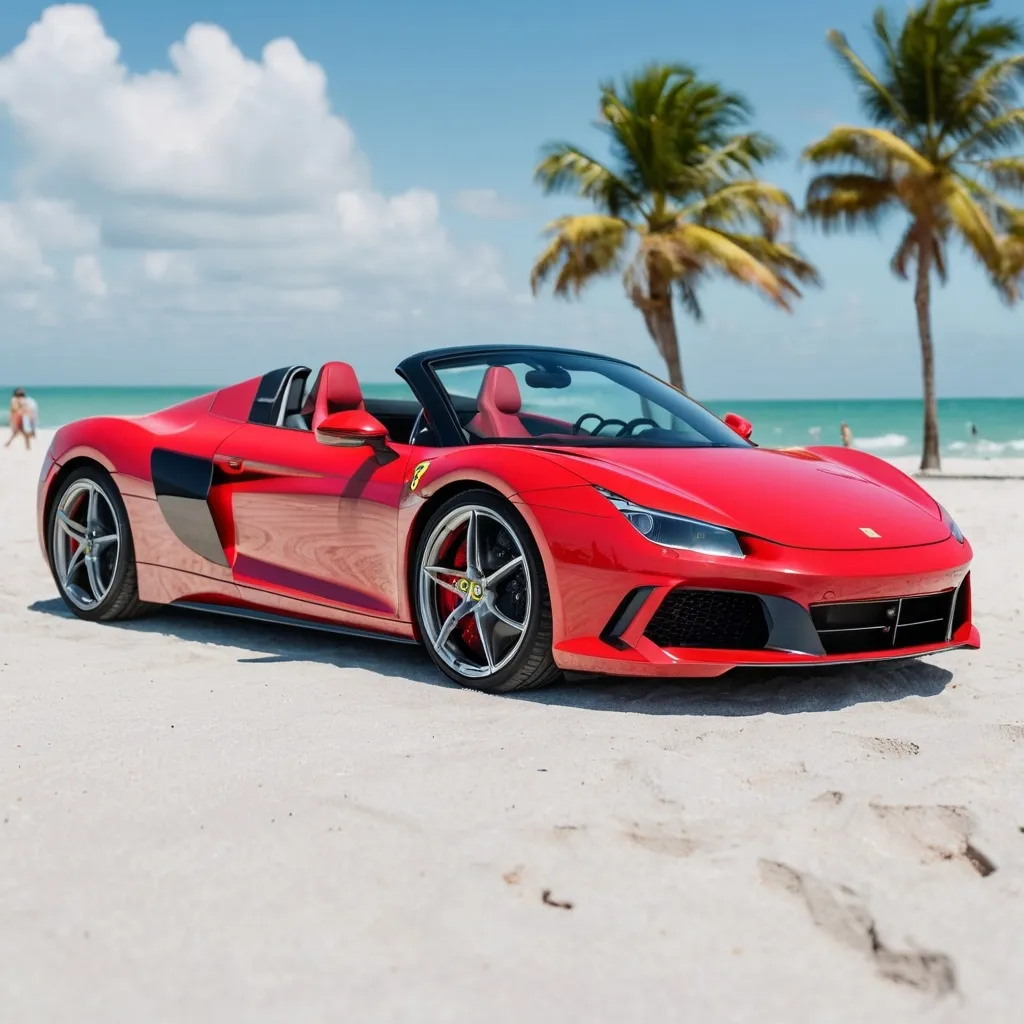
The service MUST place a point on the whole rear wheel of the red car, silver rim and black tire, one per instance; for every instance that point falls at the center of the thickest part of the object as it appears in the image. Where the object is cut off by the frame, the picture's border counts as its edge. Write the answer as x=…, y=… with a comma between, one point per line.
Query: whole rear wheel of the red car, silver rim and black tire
x=91, y=548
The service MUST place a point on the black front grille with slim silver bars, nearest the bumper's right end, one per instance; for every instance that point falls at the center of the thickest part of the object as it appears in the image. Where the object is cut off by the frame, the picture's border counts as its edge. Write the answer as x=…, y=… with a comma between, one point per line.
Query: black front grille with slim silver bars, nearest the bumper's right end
x=864, y=627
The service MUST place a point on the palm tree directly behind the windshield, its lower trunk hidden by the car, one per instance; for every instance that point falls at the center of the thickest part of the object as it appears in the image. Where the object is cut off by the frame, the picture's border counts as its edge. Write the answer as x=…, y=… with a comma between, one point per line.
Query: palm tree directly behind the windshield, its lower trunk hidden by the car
x=677, y=203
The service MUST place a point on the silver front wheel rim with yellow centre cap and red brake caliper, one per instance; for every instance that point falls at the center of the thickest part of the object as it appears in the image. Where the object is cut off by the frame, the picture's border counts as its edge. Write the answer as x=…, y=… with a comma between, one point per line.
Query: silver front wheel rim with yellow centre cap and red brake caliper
x=488, y=599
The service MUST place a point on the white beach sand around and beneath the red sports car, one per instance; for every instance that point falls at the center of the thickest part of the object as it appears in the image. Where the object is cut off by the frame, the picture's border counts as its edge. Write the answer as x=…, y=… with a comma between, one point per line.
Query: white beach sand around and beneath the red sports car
x=205, y=821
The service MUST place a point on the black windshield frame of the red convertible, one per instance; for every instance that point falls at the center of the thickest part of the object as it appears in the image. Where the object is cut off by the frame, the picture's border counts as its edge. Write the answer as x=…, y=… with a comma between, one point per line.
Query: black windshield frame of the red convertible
x=420, y=372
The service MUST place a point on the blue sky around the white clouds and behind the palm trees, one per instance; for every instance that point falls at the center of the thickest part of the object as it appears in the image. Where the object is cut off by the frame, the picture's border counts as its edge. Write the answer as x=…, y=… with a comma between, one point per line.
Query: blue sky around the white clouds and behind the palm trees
x=454, y=97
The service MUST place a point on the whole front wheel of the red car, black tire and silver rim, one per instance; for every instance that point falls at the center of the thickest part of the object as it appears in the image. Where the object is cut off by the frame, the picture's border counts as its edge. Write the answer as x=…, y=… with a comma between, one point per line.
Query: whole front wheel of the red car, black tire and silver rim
x=482, y=596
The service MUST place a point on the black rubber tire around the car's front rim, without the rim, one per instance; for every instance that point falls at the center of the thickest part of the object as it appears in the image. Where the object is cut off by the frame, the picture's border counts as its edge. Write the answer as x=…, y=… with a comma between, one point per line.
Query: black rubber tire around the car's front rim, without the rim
x=533, y=665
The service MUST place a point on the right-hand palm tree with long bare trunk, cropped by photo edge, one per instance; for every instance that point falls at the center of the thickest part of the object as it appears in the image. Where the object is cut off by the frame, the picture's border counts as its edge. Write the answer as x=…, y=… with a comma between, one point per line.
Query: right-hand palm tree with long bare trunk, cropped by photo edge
x=943, y=105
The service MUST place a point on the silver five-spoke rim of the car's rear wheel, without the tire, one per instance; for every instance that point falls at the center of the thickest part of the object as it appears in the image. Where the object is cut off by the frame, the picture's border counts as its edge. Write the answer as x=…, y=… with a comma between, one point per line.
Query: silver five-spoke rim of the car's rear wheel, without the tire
x=87, y=544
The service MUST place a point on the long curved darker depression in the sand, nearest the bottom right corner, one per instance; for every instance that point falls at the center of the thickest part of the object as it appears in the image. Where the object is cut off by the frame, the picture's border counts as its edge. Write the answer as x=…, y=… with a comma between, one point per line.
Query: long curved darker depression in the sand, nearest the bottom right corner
x=841, y=914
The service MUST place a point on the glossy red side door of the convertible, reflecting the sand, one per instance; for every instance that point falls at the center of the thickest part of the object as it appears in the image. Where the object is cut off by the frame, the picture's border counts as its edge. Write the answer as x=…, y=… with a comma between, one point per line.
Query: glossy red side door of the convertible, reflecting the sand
x=310, y=522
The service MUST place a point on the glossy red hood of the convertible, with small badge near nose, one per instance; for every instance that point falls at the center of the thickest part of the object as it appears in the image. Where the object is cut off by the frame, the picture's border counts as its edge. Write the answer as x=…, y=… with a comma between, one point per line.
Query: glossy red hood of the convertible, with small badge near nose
x=796, y=498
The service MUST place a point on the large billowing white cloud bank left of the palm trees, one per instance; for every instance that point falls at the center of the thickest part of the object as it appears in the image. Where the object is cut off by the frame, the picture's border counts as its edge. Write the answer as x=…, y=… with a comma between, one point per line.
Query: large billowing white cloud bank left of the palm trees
x=233, y=179
